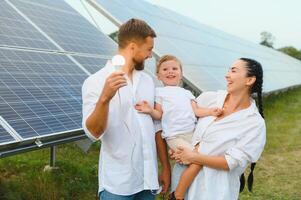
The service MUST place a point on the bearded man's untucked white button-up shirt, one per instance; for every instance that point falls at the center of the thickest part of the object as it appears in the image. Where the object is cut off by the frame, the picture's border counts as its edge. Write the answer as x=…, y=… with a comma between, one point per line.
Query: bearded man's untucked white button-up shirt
x=128, y=159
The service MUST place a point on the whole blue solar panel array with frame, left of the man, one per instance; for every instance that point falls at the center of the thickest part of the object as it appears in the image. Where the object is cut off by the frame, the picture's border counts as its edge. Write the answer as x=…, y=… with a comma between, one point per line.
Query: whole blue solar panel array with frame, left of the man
x=47, y=50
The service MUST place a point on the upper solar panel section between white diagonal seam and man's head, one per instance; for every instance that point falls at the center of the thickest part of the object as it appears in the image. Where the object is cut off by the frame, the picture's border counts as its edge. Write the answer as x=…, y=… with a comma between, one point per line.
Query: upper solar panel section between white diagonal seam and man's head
x=66, y=27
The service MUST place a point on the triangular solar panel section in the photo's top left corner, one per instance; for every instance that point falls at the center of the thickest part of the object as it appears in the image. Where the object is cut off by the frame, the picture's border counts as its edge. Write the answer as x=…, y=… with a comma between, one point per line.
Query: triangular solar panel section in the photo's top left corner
x=16, y=31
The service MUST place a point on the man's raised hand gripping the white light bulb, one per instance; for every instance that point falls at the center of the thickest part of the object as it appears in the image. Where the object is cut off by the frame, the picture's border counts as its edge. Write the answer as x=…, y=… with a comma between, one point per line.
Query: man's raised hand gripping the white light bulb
x=113, y=82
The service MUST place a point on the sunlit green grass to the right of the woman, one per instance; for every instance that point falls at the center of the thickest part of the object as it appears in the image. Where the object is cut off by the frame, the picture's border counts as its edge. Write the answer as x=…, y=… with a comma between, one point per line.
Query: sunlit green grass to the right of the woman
x=278, y=172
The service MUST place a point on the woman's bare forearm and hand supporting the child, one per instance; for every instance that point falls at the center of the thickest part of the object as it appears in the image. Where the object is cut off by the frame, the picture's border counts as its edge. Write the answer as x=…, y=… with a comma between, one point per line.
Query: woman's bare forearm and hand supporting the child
x=186, y=156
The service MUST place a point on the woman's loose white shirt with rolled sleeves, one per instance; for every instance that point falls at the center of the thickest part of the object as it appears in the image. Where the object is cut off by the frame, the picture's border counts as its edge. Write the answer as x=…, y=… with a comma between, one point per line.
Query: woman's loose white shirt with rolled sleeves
x=240, y=137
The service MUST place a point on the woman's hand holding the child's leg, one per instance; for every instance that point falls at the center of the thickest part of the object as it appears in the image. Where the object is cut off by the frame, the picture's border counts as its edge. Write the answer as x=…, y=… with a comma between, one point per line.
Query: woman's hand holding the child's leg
x=183, y=155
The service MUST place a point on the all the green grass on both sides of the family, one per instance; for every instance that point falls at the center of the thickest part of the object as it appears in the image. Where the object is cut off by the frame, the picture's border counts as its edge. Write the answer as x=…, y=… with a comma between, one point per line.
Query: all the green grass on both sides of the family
x=277, y=174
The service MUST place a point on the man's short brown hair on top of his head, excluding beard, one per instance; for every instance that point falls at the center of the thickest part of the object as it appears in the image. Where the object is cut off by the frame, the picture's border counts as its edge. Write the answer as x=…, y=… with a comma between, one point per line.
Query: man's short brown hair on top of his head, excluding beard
x=134, y=30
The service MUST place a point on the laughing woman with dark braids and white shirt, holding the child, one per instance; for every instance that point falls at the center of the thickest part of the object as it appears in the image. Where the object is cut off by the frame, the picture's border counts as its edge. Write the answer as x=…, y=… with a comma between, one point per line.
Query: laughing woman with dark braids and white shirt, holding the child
x=228, y=143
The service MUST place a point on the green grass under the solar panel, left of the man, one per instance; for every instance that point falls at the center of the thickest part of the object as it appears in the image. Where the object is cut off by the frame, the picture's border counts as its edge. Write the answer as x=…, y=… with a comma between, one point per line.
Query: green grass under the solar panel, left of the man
x=22, y=176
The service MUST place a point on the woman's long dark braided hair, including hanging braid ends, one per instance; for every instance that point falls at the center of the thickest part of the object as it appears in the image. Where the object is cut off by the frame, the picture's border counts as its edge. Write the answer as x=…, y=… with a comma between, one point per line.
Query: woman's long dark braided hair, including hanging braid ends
x=254, y=68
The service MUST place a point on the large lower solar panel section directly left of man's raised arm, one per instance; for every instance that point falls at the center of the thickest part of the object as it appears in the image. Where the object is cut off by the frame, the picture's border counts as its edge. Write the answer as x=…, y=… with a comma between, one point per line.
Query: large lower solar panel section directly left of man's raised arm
x=40, y=93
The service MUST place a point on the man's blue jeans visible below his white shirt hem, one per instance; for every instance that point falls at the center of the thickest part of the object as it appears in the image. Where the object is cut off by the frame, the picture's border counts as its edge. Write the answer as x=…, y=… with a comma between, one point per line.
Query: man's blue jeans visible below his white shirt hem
x=143, y=195
